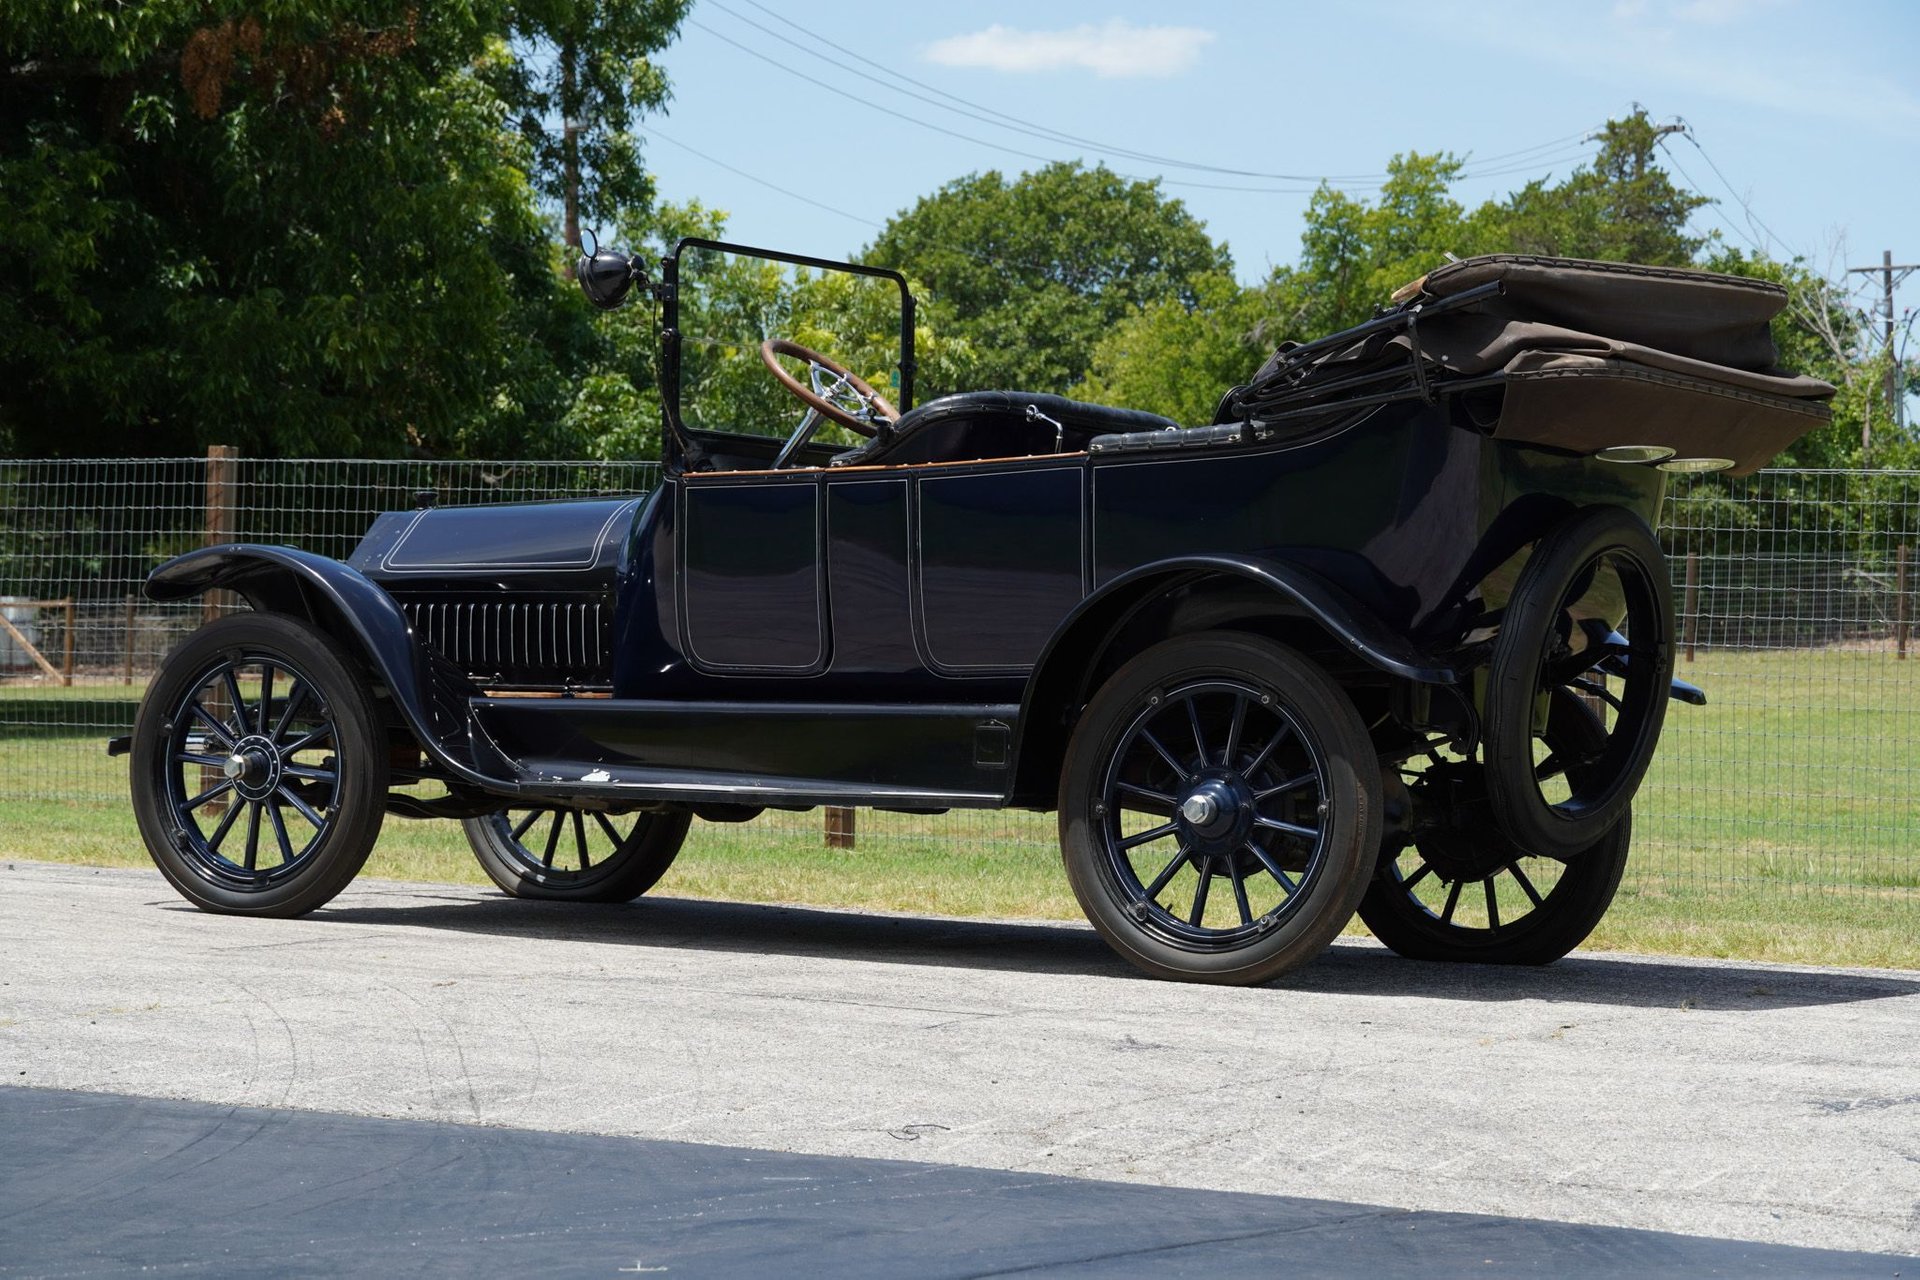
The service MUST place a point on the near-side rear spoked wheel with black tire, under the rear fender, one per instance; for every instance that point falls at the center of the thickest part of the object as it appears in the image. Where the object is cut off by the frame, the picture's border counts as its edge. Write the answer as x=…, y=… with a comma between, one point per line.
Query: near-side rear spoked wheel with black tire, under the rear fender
x=1291, y=813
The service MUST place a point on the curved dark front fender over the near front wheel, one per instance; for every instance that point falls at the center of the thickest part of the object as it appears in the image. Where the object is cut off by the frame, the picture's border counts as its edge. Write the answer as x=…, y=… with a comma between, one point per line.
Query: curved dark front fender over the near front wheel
x=345, y=604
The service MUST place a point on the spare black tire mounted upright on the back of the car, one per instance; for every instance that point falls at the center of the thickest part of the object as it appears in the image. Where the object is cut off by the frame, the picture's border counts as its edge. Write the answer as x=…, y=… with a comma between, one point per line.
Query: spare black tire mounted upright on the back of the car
x=1596, y=552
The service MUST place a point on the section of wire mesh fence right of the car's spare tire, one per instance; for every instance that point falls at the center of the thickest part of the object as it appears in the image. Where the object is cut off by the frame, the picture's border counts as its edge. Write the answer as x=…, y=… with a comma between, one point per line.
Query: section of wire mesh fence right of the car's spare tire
x=1802, y=774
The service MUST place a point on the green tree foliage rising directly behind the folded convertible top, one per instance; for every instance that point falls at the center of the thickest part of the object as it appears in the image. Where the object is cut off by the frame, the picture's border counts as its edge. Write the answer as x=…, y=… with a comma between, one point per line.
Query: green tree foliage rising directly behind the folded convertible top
x=1178, y=356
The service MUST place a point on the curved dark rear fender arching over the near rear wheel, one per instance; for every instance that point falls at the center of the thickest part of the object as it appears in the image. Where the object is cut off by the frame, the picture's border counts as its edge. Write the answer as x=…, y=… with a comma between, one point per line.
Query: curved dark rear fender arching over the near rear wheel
x=1082, y=650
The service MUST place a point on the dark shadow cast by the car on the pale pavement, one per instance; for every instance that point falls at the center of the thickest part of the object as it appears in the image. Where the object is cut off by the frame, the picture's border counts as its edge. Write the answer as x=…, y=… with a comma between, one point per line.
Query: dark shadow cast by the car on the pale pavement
x=1351, y=968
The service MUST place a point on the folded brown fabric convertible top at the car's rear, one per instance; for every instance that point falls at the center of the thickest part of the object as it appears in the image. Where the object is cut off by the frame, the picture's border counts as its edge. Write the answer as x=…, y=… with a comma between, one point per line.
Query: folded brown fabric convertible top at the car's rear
x=1568, y=354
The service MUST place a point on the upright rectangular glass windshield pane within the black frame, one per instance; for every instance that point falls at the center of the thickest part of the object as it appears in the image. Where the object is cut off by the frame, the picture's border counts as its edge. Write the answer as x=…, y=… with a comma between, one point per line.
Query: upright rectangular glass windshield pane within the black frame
x=731, y=302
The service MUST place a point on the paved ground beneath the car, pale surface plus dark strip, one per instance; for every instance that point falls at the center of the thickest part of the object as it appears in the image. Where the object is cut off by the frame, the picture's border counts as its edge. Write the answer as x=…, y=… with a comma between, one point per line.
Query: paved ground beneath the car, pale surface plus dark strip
x=1762, y=1104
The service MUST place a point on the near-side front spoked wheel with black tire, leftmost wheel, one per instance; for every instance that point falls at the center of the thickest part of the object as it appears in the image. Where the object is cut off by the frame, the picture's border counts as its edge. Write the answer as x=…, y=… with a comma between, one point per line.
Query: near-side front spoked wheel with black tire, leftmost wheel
x=308, y=767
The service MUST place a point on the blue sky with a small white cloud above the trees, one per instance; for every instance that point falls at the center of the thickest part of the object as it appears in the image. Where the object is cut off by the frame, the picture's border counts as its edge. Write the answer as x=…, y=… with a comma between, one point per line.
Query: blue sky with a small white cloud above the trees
x=1806, y=116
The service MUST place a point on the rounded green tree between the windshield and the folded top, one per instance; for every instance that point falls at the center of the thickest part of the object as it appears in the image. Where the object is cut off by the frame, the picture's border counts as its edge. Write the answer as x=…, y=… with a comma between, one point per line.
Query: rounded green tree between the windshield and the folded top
x=1036, y=272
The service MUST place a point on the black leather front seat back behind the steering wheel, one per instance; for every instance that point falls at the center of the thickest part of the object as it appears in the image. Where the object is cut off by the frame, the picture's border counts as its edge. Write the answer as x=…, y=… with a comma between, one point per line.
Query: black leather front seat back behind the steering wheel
x=994, y=425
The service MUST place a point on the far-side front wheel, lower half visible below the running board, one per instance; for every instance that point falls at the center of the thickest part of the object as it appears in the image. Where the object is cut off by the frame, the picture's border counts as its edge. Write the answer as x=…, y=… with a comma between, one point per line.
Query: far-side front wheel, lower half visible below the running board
x=577, y=855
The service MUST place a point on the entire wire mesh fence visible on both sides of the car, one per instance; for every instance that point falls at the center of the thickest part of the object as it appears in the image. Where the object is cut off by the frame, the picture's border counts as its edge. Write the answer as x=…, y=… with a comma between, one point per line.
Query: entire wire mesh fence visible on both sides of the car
x=1794, y=590
